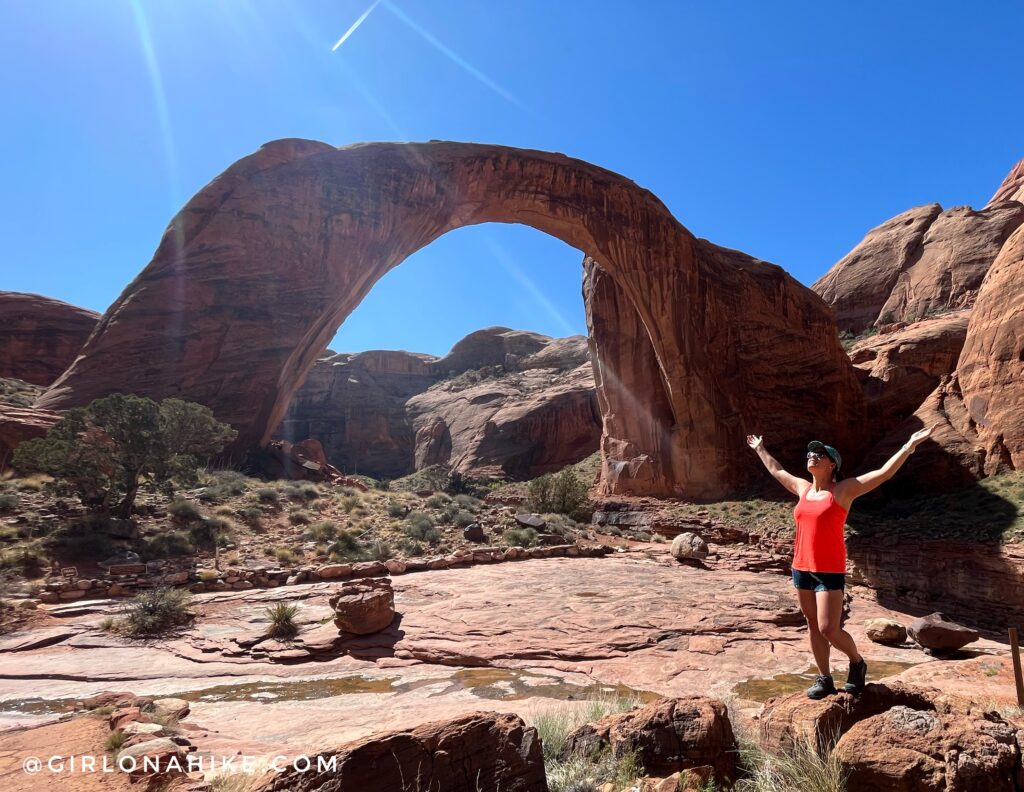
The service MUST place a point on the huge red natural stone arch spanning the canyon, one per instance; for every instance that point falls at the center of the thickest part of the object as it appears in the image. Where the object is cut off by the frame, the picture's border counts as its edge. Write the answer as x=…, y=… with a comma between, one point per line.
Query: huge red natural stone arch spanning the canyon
x=254, y=276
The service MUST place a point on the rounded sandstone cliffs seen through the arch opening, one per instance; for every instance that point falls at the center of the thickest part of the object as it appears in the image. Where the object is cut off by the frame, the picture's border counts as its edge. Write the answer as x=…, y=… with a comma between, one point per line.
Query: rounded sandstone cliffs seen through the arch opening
x=503, y=403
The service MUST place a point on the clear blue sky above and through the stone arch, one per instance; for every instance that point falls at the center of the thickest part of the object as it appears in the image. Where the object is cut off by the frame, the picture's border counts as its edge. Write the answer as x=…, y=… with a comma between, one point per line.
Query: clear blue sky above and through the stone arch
x=783, y=130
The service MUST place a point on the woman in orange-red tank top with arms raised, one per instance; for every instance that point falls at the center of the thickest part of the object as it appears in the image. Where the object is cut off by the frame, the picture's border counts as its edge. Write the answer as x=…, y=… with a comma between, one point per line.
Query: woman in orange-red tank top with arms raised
x=820, y=550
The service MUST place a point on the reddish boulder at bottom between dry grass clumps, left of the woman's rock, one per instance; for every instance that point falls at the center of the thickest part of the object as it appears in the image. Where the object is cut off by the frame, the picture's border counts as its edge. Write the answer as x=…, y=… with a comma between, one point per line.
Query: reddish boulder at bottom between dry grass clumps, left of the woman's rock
x=667, y=736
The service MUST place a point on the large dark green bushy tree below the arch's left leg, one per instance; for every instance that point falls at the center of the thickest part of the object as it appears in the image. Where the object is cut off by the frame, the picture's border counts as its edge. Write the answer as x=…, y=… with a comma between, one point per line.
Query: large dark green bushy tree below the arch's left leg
x=106, y=449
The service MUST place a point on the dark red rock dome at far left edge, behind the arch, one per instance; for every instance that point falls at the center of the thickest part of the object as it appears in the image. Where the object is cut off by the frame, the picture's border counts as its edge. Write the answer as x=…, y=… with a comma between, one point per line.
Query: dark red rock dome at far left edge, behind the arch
x=40, y=337
